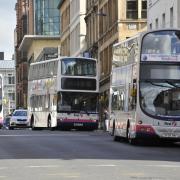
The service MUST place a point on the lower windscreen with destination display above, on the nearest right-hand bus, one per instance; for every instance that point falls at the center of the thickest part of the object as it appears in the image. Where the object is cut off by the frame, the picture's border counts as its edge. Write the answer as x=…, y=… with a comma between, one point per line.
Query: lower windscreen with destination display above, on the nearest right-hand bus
x=160, y=89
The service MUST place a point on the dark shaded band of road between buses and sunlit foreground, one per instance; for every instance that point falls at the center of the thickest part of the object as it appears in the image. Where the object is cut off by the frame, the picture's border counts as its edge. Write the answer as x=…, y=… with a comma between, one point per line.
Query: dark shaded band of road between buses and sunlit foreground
x=80, y=145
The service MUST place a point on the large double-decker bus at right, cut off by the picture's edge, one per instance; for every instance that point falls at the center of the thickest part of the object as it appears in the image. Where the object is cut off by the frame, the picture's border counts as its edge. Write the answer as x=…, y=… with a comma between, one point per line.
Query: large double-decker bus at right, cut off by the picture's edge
x=145, y=87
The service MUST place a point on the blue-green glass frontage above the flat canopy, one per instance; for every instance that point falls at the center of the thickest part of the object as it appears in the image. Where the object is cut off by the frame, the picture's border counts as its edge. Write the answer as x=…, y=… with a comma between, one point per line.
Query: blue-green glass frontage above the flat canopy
x=47, y=17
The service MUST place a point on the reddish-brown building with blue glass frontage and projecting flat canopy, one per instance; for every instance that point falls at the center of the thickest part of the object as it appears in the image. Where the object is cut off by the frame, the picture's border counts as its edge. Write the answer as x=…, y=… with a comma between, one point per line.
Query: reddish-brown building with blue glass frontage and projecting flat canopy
x=38, y=27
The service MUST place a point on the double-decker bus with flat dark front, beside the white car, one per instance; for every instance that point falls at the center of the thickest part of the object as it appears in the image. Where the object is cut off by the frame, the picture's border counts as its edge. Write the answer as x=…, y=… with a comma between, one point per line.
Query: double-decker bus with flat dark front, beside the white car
x=63, y=93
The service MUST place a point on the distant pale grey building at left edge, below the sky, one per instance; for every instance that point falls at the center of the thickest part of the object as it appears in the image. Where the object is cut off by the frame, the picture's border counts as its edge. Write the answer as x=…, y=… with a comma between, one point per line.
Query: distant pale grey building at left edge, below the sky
x=7, y=71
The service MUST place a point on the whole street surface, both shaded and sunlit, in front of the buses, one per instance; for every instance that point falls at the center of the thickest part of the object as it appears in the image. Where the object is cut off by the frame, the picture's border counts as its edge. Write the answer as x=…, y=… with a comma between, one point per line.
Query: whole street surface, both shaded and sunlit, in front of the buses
x=81, y=155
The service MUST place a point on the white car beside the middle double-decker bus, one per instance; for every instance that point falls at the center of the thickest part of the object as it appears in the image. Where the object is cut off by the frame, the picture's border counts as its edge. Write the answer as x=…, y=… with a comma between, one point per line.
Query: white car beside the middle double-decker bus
x=19, y=119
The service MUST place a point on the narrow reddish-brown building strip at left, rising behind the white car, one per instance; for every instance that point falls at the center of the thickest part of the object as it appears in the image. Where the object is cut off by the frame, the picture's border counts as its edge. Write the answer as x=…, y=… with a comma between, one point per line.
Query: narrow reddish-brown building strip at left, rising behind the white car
x=21, y=64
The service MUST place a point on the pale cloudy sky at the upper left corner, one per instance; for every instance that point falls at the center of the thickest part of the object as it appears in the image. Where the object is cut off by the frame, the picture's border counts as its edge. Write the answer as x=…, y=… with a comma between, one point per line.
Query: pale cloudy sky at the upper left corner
x=8, y=24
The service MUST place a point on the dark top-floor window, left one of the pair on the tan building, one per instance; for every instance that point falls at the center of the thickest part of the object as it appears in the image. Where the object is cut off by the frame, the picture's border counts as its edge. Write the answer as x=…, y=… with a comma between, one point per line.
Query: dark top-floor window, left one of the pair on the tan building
x=131, y=9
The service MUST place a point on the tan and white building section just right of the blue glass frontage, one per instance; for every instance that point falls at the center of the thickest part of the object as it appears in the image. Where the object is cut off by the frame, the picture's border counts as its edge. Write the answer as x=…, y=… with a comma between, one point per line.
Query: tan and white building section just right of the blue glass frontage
x=73, y=27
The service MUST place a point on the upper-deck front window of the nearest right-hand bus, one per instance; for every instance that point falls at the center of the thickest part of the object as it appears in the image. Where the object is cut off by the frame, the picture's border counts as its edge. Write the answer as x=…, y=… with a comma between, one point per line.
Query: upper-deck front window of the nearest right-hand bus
x=161, y=46
